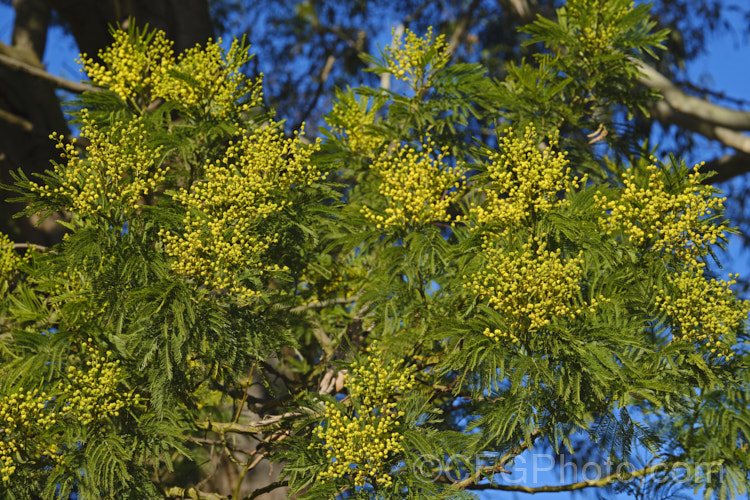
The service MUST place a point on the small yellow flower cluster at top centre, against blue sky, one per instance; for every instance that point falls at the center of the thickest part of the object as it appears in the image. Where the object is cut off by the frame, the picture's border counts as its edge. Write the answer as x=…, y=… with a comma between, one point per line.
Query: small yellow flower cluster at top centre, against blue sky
x=412, y=59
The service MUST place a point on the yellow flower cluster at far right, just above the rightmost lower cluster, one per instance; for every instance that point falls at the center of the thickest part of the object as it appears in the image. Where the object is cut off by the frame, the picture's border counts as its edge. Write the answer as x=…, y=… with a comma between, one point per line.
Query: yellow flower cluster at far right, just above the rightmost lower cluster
x=673, y=223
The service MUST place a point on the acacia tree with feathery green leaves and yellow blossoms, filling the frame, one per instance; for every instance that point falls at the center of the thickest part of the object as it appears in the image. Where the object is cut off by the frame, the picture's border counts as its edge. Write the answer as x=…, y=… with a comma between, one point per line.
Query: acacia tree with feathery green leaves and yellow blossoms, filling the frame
x=399, y=309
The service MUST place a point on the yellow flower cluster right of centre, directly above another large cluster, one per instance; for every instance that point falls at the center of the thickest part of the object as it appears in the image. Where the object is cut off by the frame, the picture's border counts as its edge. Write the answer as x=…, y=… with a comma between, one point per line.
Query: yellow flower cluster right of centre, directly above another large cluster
x=523, y=180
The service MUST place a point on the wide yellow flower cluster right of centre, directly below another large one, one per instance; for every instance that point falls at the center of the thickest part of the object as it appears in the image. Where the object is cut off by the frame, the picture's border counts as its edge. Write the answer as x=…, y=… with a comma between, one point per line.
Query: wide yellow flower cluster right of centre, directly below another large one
x=531, y=286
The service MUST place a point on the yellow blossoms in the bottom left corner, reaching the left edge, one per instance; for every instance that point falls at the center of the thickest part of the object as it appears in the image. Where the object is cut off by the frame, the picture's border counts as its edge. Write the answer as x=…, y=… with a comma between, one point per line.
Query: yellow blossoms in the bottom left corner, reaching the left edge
x=28, y=418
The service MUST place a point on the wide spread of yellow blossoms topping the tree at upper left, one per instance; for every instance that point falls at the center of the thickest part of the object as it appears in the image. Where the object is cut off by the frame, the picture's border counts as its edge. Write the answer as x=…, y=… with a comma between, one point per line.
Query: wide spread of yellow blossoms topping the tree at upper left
x=140, y=66
